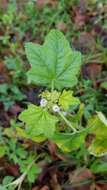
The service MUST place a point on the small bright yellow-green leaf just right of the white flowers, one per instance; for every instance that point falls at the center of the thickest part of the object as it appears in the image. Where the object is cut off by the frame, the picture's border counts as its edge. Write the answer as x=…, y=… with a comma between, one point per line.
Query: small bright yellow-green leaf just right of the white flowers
x=67, y=99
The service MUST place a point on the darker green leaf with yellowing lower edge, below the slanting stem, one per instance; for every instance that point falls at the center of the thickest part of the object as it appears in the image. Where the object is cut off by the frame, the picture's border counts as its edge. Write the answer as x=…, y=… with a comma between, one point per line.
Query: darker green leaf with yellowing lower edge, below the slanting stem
x=69, y=141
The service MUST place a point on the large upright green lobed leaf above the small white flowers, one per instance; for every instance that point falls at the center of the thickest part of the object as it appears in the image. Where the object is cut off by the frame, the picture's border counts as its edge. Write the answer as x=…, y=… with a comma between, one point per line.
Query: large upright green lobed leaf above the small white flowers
x=54, y=62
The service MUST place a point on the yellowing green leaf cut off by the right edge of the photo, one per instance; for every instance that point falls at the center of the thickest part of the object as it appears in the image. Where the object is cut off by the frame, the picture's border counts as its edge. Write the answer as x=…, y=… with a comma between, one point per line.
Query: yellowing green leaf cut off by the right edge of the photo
x=98, y=127
